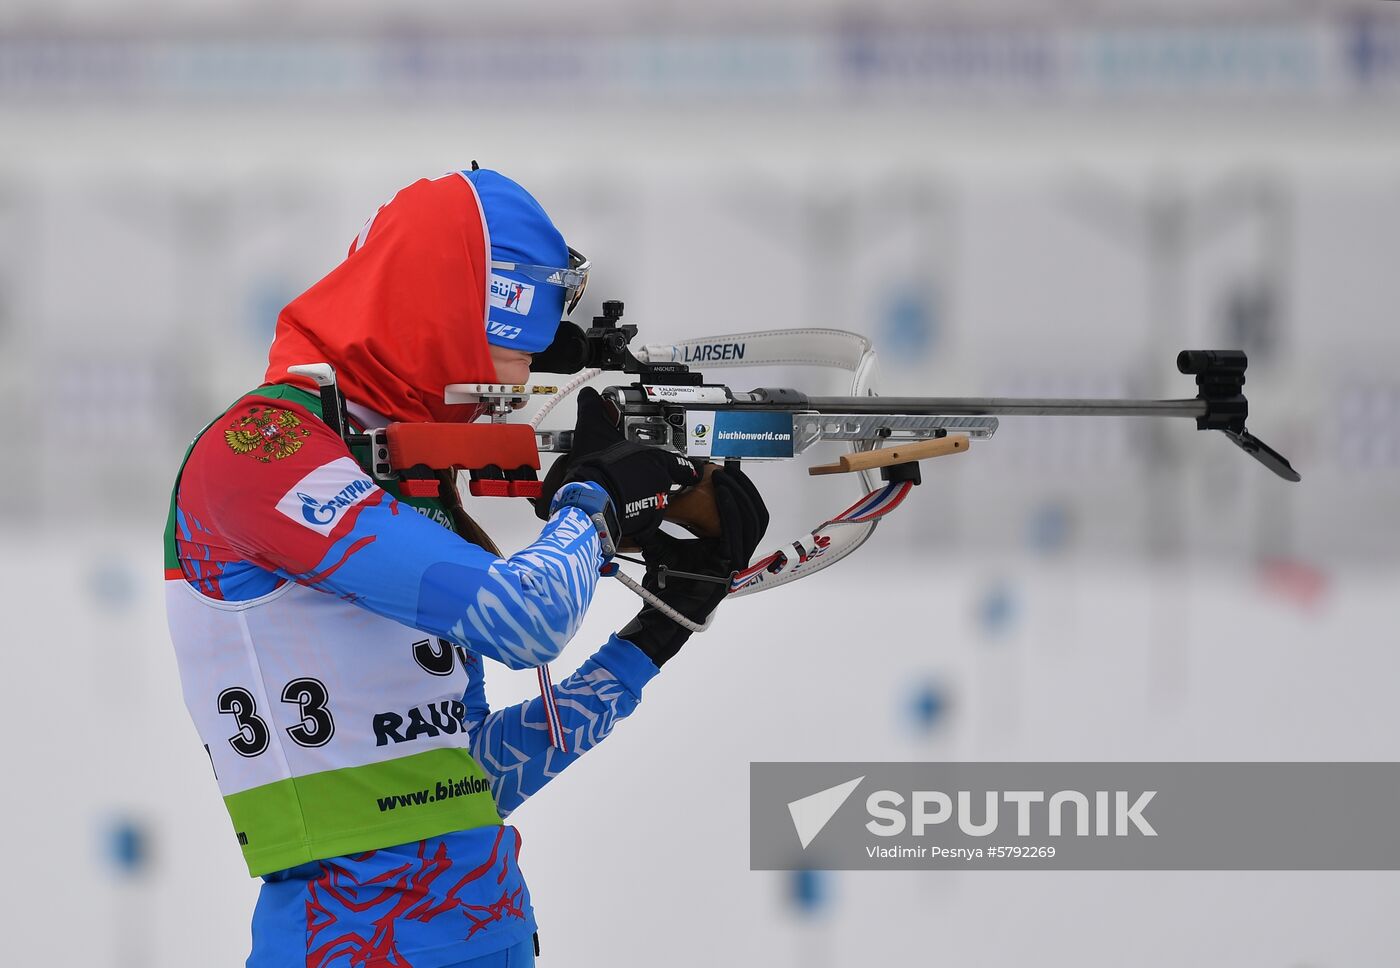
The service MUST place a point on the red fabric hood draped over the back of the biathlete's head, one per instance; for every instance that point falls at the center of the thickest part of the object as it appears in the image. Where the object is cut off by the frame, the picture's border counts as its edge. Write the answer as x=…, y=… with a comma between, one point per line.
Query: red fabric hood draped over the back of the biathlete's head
x=405, y=314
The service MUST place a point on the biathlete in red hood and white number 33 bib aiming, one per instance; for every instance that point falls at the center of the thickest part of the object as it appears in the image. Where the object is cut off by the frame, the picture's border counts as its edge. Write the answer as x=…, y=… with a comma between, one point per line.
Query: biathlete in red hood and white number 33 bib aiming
x=331, y=631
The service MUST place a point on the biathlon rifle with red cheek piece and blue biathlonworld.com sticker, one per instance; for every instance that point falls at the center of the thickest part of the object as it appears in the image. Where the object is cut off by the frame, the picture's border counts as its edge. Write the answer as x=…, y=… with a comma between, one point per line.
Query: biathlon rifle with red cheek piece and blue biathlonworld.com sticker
x=671, y=406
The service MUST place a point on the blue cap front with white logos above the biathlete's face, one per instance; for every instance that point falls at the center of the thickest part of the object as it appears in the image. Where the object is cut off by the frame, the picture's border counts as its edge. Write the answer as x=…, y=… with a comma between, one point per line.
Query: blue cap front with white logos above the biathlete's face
x=523, y=313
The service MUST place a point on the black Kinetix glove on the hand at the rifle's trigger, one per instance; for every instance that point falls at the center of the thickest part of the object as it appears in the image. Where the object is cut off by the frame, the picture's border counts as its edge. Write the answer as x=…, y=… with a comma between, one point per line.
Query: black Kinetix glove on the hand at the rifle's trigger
x=636, y=477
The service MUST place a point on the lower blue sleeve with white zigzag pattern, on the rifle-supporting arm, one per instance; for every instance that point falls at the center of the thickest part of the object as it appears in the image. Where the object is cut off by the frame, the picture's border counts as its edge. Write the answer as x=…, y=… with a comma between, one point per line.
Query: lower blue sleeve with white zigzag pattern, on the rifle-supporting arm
x=513, y=745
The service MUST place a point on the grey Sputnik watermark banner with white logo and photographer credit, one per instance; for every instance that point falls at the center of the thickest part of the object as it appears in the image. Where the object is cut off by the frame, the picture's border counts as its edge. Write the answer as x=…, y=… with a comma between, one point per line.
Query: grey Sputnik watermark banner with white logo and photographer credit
x=1074, y=816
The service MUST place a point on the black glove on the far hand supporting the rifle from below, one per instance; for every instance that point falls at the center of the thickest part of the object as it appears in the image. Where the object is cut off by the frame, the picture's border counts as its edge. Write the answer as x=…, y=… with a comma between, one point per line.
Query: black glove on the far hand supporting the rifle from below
x=743, y=522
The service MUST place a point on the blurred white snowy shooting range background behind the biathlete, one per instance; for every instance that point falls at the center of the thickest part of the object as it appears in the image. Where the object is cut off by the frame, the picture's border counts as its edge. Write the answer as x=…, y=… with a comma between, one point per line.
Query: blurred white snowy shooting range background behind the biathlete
x=1031, y=198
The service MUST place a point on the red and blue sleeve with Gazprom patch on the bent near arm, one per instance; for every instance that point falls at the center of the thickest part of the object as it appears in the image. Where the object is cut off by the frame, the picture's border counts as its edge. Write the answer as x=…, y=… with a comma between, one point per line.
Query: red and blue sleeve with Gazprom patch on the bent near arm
x=318, y=519
